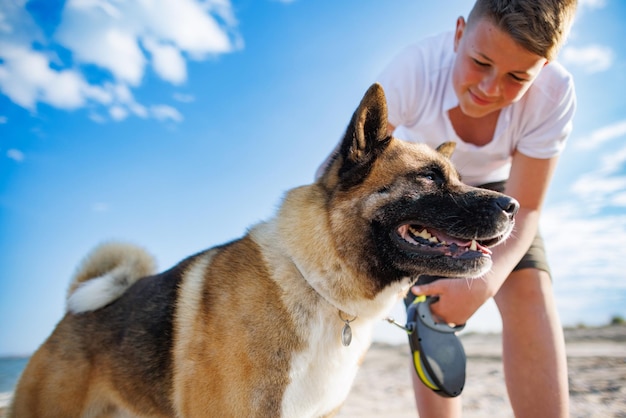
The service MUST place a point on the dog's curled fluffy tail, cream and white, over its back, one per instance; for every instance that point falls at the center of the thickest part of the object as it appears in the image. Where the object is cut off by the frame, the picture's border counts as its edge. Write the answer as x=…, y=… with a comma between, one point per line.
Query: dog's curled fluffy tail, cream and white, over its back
x=105, y=274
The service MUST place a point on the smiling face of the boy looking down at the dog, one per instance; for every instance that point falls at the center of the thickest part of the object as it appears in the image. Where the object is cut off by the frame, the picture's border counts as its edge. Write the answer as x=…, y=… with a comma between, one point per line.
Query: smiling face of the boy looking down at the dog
x=491, y=70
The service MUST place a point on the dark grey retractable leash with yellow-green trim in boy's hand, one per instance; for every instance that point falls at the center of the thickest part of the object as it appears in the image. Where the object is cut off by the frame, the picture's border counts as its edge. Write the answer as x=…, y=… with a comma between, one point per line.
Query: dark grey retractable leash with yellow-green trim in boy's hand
x=438, y=355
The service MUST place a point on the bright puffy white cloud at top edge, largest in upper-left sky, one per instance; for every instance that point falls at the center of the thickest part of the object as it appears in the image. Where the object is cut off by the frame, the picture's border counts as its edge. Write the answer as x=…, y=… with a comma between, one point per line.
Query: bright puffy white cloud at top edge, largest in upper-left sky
x=109, y=34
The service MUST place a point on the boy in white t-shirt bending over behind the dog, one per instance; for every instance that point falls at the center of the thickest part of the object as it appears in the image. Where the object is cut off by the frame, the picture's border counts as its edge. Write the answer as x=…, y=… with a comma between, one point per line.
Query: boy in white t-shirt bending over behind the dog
x=493, y=88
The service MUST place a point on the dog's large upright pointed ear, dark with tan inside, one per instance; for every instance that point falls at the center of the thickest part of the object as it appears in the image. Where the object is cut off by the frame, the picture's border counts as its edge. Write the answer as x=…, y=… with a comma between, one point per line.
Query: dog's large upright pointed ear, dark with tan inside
x=365, y=139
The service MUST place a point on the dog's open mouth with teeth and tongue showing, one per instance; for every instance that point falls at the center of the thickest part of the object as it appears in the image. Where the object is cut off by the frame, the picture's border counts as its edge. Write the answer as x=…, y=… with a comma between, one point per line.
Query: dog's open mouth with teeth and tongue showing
x=431, y=241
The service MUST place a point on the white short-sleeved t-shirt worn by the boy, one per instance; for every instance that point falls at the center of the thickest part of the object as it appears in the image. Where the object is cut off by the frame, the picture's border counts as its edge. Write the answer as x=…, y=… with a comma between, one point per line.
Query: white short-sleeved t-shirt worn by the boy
x=419, y=91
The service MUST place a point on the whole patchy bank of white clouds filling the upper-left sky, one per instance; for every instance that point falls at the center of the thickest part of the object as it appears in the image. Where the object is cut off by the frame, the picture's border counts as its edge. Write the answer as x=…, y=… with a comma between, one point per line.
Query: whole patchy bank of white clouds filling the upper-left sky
x=123, y=38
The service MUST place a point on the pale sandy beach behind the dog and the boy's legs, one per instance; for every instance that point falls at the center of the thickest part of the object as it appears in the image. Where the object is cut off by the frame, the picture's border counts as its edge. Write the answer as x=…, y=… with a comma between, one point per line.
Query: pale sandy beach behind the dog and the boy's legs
x=597, y=377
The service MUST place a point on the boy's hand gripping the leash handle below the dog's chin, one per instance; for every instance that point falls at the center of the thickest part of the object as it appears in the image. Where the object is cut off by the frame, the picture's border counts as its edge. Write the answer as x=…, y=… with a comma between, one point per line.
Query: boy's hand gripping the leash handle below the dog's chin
x=459, y=299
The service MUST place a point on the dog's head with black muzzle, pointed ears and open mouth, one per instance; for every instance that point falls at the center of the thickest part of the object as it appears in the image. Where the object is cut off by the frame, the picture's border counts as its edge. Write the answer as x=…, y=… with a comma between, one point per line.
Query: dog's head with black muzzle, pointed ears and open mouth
x=399, y=209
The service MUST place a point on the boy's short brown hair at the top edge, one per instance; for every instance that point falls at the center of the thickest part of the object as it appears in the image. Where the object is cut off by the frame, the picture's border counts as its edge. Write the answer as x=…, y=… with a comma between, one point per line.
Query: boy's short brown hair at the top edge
x=539, y=26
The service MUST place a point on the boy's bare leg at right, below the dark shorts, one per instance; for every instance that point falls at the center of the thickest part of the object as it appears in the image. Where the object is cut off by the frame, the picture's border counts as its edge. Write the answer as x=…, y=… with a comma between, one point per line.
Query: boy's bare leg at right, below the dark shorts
x=535, y=363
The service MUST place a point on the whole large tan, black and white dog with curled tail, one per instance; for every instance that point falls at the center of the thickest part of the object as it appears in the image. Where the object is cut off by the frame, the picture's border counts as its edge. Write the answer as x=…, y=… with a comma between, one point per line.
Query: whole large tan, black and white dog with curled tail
x=252, y=328
